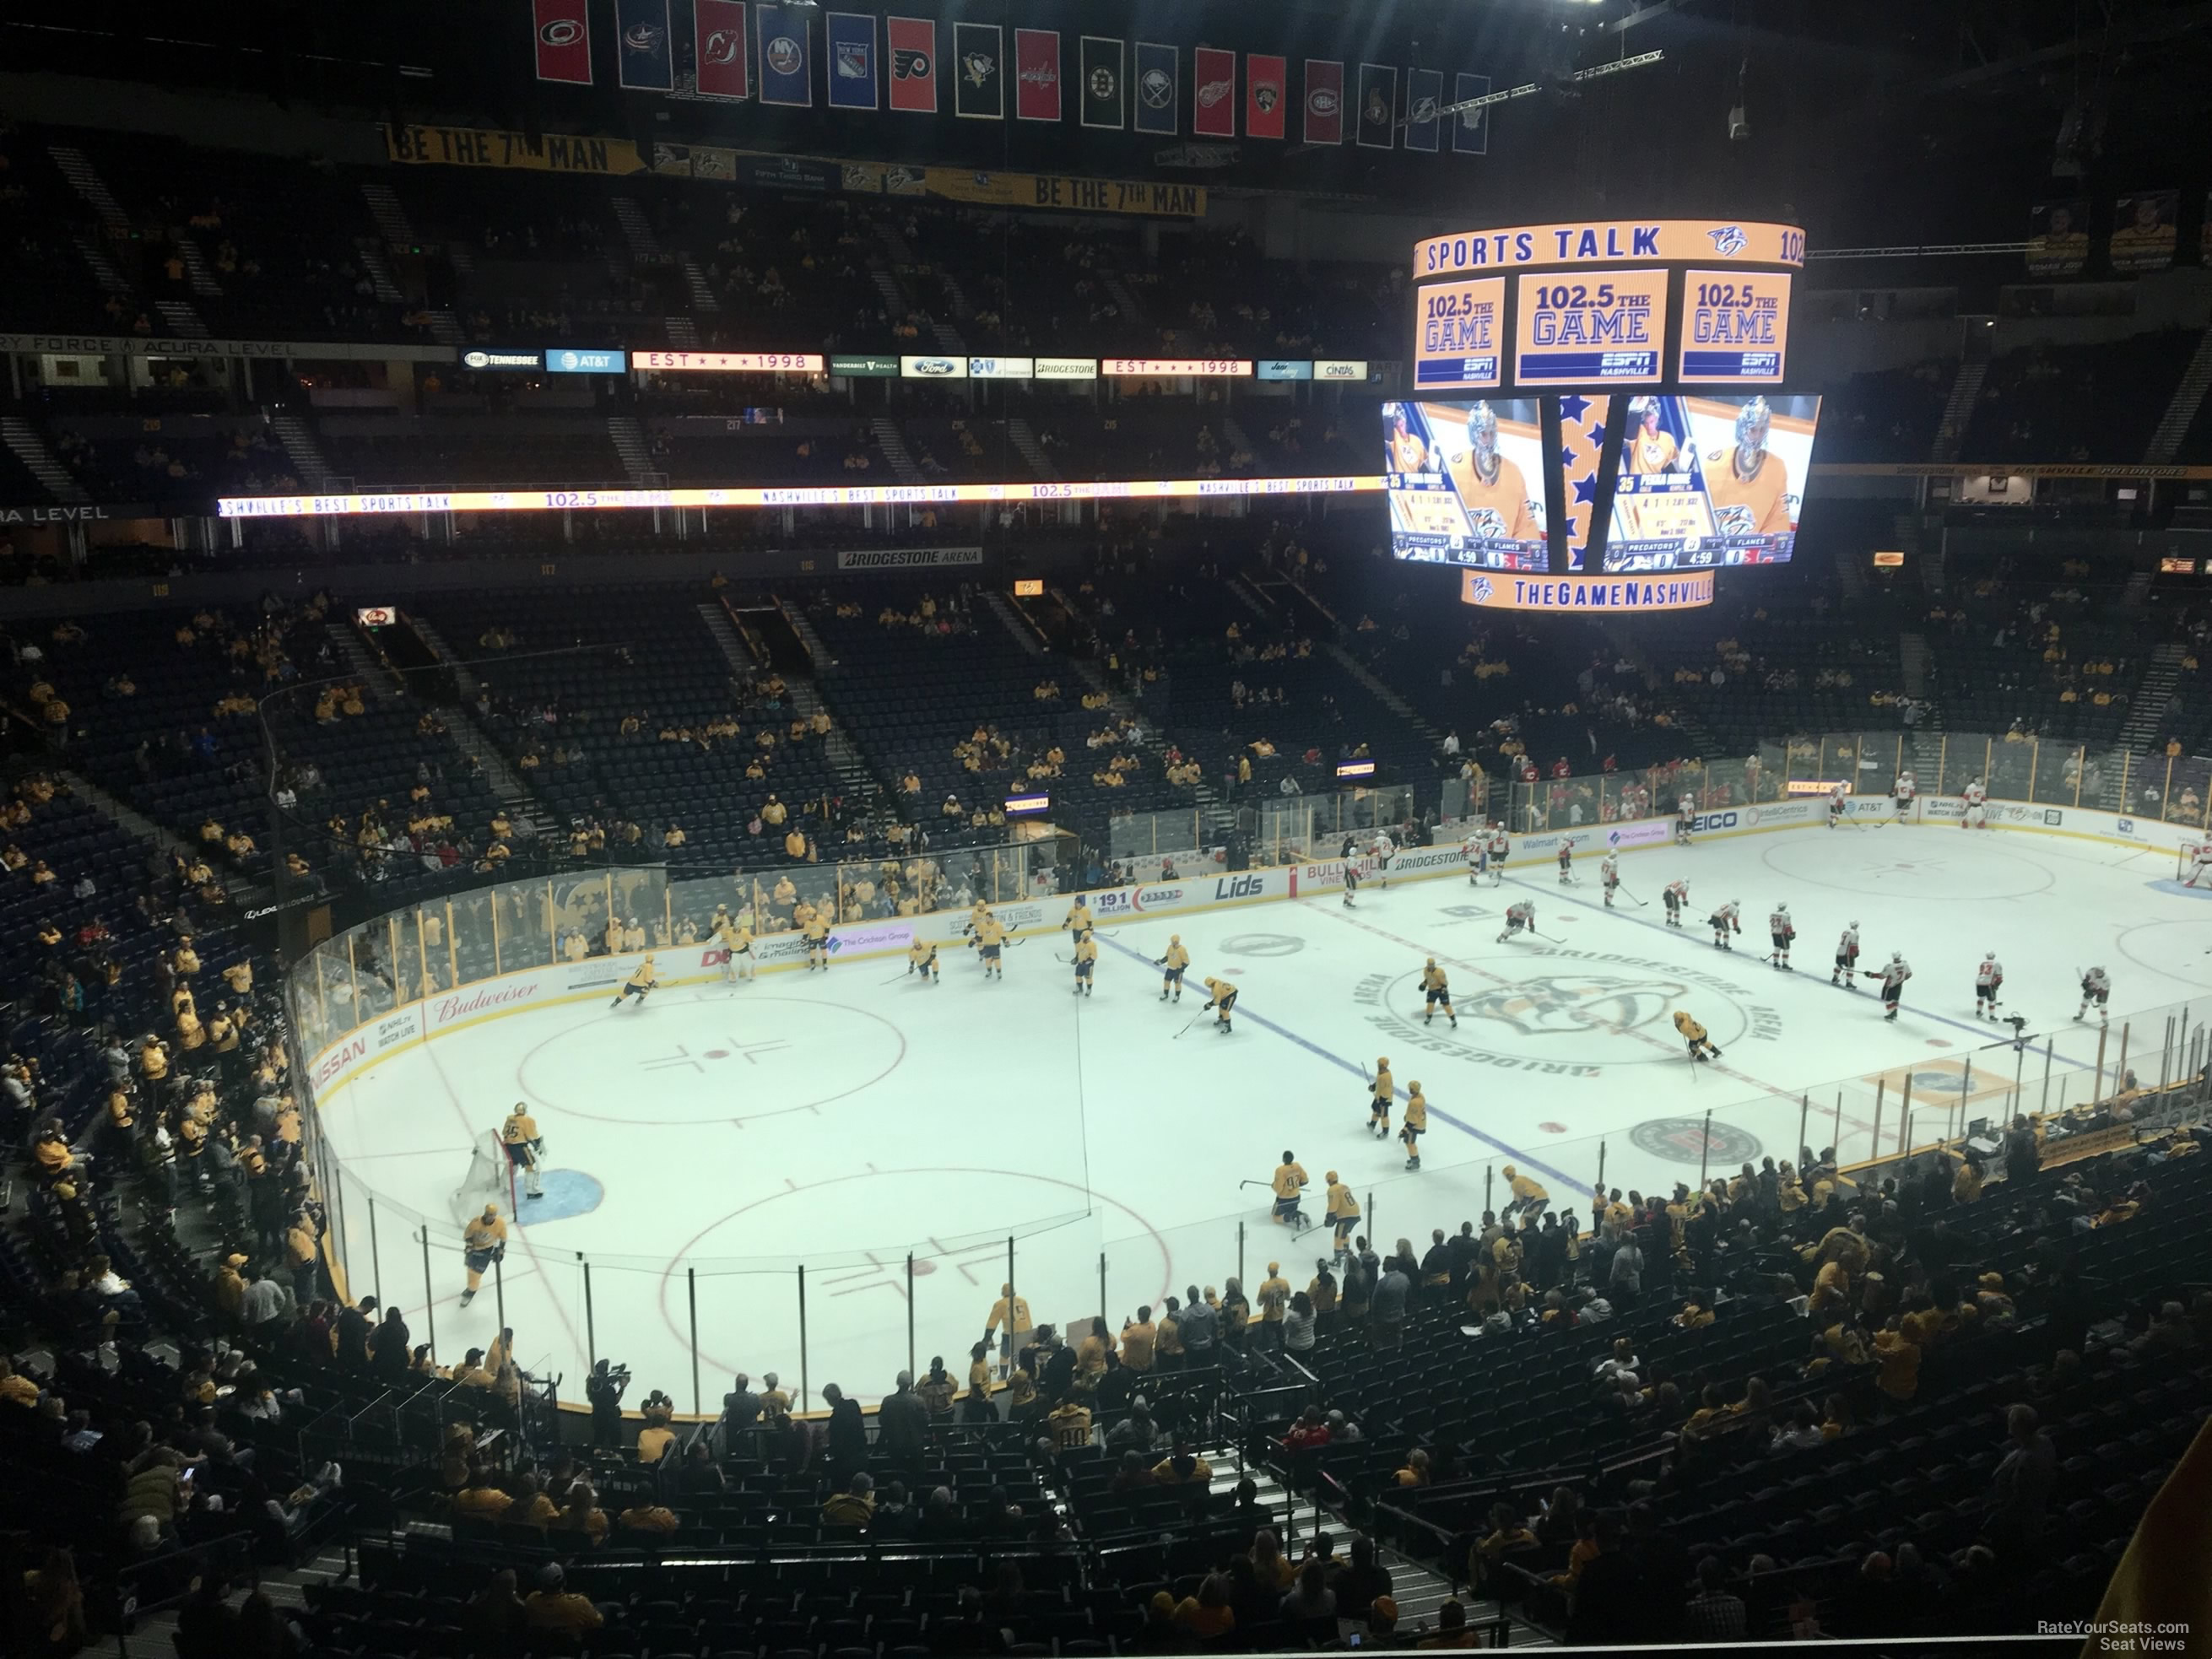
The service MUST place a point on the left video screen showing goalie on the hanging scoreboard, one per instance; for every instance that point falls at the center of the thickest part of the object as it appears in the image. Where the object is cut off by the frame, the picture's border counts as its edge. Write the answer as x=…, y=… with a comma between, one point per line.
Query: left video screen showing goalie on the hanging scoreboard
x=1465, y=483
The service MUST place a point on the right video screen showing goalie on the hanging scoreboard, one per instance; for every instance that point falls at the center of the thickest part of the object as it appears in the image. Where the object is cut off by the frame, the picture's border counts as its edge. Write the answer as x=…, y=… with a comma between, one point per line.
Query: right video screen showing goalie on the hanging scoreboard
x=1711, y=481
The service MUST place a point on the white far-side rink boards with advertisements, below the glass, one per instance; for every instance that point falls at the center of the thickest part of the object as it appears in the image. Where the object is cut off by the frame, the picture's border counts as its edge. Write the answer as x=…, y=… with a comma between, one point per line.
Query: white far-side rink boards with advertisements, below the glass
x=561, y=983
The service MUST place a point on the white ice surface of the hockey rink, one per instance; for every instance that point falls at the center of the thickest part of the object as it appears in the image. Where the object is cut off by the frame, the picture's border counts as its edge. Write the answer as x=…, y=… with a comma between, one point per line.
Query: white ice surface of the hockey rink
x=707, y=1145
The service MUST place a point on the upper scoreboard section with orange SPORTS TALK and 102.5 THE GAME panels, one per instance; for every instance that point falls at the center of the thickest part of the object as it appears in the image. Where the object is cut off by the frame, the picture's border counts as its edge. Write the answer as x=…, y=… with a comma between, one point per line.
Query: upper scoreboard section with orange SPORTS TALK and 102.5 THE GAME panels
x=1605, y=304
